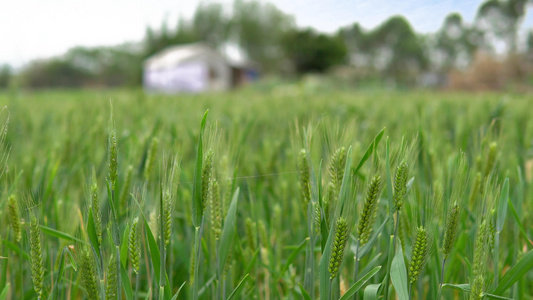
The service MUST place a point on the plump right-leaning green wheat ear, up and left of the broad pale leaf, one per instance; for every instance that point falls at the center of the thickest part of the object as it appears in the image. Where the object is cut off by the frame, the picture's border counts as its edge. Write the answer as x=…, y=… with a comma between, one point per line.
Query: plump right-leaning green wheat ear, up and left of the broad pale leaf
x=366, y=219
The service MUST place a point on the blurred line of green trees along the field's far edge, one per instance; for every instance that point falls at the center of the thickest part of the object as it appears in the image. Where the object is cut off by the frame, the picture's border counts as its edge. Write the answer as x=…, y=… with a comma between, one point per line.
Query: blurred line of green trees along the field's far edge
x=391, y=52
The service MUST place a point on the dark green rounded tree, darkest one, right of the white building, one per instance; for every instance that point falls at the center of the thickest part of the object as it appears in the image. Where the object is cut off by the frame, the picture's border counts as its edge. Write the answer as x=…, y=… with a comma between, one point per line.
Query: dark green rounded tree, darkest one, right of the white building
x=312, y=52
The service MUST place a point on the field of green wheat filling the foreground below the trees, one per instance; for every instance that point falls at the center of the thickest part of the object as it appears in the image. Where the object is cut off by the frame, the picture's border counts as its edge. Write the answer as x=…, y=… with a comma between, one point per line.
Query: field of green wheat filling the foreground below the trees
x=166, y=200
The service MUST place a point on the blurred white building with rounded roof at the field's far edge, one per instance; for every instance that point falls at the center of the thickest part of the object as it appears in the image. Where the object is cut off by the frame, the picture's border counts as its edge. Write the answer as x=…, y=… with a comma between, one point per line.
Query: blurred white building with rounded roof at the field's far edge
x=192, y=68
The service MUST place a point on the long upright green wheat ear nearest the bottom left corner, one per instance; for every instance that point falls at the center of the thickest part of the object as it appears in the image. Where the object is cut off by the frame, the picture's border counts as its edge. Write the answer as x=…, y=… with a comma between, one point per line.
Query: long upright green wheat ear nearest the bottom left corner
x=37, y=269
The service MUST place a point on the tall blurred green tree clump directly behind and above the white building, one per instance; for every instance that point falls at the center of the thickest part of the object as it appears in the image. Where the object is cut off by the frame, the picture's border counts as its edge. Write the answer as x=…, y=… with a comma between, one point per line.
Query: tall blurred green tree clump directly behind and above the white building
x=255, y=27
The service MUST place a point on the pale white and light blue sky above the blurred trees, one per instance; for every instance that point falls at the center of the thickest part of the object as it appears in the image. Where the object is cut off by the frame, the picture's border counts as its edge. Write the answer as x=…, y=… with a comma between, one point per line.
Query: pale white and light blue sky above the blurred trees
x=31, y=29
